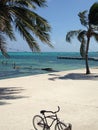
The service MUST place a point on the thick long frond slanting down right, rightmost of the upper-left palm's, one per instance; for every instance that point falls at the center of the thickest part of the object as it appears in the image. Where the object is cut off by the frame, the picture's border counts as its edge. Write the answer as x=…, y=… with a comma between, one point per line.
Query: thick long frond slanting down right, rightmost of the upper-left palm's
x=35, y=23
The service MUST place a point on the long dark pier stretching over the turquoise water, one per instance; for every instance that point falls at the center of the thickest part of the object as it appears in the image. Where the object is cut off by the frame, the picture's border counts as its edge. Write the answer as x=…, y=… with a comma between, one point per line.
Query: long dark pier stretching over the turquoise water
x=77, y=58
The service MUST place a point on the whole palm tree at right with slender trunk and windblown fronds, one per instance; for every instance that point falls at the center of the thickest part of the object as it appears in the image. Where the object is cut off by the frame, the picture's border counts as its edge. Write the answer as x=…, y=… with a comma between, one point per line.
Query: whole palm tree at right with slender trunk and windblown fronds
x=84, y=36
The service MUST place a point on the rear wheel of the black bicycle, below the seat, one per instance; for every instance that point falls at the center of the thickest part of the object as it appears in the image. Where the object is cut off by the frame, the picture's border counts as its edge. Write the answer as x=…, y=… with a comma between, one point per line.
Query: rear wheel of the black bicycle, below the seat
x=38, y=122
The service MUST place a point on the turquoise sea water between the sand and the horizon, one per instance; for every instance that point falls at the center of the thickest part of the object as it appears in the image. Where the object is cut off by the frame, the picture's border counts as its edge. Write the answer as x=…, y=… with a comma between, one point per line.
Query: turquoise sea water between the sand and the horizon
x=28, y=63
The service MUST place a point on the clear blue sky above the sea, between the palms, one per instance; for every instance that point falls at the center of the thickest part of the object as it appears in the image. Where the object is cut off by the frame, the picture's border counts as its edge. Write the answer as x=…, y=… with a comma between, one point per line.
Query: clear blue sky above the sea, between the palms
x=62, y=15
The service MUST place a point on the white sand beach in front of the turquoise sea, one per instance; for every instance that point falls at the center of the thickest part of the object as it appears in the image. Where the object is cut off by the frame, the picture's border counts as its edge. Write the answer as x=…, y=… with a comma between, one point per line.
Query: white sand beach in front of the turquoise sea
x=76, y=94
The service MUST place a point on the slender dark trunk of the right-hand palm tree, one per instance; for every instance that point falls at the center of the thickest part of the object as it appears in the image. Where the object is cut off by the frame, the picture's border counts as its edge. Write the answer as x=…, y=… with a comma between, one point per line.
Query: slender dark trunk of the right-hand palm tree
x=86, y=58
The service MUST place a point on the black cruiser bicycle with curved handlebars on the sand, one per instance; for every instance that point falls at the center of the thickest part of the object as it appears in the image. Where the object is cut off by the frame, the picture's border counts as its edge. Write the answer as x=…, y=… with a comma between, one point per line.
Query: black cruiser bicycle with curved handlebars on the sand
x=41, y=122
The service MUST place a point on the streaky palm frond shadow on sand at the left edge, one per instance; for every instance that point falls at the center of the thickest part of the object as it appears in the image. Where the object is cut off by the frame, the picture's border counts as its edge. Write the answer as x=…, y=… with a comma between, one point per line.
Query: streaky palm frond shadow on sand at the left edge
x=10, y=93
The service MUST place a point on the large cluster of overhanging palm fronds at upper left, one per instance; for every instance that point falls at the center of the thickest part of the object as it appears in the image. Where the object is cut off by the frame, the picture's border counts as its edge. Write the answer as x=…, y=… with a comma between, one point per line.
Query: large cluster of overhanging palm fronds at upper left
x=21, y=16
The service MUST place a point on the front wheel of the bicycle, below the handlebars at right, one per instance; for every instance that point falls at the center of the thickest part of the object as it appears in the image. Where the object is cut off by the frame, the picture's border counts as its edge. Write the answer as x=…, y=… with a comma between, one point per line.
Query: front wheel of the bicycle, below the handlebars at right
x=62, y=126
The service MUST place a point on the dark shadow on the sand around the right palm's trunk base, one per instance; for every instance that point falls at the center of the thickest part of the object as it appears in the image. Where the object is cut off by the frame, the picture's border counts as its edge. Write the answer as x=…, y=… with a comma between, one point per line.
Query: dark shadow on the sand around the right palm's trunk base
x=74, y=76
